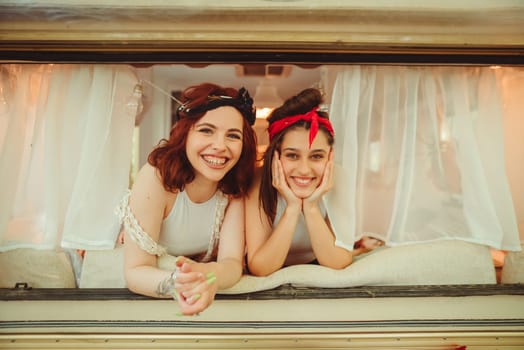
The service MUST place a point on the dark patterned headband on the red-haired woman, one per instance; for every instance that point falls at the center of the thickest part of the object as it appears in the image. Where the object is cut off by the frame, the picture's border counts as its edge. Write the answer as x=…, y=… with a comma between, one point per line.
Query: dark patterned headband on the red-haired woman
x=243, y=103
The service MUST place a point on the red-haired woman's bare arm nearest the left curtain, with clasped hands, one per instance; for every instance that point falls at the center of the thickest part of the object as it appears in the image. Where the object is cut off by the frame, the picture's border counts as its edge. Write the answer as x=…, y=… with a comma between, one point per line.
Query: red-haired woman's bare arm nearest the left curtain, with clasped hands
x=192, y=286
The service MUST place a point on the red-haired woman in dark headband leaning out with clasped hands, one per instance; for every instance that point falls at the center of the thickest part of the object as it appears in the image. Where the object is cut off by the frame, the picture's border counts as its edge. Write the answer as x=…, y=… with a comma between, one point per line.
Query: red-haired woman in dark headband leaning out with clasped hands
x=187, y=200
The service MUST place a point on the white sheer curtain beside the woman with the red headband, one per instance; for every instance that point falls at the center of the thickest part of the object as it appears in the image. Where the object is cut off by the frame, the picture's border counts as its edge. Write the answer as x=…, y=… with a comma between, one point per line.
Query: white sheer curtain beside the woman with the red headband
x=419, y=156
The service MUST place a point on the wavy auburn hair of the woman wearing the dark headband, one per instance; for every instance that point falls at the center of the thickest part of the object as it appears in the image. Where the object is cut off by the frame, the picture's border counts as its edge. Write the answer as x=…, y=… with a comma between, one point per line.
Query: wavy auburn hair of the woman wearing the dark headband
x=170, y=158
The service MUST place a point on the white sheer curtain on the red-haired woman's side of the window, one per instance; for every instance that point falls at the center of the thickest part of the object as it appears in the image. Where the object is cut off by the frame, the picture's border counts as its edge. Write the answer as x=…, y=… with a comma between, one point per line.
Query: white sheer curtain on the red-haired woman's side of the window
x=65, y=149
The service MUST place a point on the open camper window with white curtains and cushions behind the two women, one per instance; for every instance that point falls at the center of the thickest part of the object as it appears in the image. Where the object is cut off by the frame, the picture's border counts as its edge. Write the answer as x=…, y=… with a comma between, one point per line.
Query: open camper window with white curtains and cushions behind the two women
x=418, y=157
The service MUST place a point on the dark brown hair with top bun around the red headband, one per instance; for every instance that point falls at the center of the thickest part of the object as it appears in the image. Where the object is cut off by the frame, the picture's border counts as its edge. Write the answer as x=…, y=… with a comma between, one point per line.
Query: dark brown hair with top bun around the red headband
x=299, y=104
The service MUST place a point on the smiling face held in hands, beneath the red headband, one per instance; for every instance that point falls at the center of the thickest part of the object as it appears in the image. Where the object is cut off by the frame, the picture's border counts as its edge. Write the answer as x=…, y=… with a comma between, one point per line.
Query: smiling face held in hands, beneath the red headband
x=303, y=165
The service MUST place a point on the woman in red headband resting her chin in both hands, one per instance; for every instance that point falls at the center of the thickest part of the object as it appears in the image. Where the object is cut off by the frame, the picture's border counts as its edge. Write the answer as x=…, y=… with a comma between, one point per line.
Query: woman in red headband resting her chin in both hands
x=286, y=222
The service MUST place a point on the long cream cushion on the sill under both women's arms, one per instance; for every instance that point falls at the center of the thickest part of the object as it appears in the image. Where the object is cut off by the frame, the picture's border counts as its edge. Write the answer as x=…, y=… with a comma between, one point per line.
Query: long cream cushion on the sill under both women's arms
x=435, y=263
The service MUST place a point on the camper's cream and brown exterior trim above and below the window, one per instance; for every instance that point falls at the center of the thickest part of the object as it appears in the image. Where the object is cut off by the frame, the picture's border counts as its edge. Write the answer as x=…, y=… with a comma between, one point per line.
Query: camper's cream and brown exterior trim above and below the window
x=146, y=36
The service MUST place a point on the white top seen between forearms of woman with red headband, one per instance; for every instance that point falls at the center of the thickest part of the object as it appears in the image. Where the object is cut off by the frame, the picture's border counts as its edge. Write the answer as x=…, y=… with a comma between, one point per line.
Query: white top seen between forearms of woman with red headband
x=300, y=251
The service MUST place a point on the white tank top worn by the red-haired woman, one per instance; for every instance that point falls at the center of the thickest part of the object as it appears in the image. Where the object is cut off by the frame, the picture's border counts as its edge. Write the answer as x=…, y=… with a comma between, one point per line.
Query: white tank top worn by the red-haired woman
x=188, y=227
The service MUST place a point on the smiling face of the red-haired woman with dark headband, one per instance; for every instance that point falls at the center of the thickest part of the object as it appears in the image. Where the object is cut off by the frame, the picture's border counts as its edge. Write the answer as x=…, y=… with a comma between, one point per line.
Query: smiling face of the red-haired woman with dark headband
x=214, y=143
